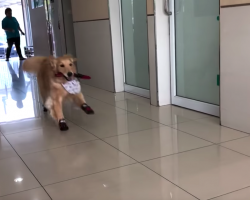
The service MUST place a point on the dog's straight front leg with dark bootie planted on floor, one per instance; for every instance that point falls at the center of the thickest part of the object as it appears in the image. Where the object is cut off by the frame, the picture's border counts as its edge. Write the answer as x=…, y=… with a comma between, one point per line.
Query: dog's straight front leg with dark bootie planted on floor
x=57, y=113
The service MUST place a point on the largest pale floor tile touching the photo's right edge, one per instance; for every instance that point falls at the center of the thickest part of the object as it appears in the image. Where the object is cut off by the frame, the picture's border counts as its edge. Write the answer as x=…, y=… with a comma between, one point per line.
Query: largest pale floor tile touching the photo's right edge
x=207, y=172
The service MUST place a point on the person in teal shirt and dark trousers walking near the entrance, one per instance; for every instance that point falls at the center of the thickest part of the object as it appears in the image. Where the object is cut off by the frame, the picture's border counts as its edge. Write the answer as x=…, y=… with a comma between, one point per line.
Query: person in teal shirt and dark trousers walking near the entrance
x=12, y=28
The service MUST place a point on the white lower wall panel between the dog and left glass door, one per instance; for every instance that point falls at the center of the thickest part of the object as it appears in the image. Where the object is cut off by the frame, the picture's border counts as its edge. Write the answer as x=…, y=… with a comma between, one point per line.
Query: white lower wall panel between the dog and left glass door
x=94, y=54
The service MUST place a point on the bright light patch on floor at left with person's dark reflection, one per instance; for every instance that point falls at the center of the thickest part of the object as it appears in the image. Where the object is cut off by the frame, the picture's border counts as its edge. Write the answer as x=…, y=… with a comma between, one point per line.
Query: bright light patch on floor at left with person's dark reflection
x=17, y=92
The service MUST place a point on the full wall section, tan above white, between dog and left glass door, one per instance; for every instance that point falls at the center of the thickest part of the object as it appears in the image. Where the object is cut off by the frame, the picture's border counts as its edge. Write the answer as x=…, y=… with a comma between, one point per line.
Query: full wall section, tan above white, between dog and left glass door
x=93, y=42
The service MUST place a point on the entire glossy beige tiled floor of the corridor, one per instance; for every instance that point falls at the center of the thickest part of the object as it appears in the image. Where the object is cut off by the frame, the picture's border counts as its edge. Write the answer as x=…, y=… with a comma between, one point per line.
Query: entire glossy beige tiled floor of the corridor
x=128, y=150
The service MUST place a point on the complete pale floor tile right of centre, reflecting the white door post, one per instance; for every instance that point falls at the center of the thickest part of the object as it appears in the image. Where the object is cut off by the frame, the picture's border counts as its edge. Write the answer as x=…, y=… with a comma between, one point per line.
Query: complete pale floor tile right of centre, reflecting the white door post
x=154, y=143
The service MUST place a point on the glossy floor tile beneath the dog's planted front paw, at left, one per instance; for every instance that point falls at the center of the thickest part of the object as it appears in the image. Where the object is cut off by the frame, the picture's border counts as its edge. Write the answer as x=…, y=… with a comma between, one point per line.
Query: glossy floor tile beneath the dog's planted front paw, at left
x=48, y=138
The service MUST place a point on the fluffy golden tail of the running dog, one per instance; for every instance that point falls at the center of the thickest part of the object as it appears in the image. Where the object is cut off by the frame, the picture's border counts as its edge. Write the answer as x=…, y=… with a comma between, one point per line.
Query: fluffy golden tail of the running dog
x=33, y=64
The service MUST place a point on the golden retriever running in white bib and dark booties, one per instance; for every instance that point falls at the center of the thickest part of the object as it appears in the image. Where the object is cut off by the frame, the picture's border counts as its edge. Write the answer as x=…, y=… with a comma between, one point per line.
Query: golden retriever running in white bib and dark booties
x=55, y=89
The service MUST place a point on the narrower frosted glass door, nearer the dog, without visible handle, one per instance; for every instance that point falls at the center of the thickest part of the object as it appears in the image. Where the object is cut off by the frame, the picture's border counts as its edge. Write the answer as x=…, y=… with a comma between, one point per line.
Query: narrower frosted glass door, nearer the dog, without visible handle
x=135, y=46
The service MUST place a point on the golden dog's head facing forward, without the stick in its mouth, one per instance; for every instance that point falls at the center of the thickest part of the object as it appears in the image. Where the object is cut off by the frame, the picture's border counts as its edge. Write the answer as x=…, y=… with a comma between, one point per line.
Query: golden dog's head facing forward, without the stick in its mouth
x=64, y=65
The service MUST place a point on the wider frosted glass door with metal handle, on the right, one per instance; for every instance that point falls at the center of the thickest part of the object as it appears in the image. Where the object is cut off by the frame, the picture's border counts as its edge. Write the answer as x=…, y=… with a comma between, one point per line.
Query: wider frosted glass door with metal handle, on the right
x=195, y=58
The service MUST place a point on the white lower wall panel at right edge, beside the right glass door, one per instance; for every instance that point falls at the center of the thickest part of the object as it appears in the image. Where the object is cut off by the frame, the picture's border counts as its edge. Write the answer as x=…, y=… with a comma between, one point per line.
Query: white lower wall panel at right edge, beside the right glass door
x=235, y=70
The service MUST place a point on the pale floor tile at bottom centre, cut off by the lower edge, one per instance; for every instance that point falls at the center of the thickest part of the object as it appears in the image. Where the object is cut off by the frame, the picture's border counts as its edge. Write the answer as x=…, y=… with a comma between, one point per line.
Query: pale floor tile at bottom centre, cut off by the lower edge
x=133, y=182
